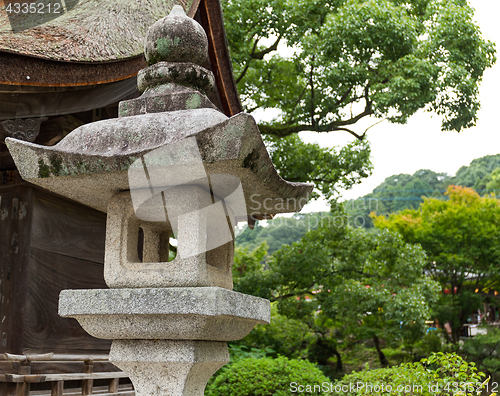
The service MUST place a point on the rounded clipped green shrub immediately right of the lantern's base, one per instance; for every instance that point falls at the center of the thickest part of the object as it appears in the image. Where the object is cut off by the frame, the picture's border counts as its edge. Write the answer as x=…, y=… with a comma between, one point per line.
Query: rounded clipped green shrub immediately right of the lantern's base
x=266, y=377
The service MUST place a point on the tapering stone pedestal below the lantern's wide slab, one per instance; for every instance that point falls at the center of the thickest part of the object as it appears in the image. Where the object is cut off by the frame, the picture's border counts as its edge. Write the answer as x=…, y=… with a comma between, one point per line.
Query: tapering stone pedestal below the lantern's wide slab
x=173, y=368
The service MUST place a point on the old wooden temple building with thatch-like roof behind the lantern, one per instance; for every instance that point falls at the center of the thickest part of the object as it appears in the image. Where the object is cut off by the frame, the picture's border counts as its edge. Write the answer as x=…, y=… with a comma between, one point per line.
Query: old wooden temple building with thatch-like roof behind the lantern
x=62, y=67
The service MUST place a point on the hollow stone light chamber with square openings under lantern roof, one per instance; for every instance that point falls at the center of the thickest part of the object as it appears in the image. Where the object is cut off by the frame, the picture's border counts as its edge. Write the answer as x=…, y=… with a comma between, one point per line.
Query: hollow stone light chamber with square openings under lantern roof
x=193, y=265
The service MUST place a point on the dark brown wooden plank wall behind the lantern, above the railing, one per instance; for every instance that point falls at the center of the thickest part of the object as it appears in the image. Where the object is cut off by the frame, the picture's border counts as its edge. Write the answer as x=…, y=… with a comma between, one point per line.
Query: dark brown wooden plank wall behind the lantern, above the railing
x=47, y=244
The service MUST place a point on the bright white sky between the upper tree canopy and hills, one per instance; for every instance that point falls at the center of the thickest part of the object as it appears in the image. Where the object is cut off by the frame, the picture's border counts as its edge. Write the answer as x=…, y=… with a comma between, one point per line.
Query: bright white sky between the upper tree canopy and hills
x=420, y=144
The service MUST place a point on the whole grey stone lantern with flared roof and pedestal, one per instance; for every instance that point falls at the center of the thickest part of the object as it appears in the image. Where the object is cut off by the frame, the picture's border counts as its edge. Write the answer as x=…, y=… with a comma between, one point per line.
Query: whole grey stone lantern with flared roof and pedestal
x=171, y=166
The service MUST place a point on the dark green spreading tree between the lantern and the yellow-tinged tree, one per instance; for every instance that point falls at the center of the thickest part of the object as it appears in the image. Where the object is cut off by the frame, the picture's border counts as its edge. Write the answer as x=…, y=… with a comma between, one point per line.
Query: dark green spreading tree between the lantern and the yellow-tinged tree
x=369, y=284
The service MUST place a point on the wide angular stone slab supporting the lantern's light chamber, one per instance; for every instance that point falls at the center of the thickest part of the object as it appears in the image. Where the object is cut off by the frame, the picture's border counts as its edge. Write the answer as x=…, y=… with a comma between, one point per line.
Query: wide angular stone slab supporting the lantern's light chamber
x=187, y=313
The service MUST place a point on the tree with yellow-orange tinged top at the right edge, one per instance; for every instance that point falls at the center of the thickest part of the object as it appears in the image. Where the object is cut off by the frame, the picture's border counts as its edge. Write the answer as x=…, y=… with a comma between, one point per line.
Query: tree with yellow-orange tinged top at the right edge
x=461, y=237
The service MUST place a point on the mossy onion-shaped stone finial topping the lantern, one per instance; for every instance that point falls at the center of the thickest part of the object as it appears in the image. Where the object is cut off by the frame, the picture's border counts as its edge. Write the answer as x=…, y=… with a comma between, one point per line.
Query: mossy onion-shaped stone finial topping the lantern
x=176, y=38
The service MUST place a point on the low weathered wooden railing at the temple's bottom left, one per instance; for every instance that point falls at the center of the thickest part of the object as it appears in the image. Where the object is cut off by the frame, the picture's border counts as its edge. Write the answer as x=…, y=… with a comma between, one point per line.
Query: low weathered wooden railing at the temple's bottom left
x=21, y=384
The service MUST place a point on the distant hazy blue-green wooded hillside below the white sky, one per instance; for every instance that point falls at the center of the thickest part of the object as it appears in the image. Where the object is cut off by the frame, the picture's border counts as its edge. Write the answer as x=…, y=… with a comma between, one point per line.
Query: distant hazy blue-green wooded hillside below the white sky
x=396, y=193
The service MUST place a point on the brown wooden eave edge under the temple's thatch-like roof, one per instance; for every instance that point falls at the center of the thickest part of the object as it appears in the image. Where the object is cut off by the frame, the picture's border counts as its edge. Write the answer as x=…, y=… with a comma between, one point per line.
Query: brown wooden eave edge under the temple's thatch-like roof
x=29, y=77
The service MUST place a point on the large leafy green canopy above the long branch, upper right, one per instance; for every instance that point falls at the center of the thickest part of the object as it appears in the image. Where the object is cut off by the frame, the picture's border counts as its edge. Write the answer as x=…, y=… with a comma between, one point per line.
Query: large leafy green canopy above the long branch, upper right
x=356, y=58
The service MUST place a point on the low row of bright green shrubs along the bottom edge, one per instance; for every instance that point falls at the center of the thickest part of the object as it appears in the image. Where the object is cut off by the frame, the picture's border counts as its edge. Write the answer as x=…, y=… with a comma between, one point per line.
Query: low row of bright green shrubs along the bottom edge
x=438, y=375
